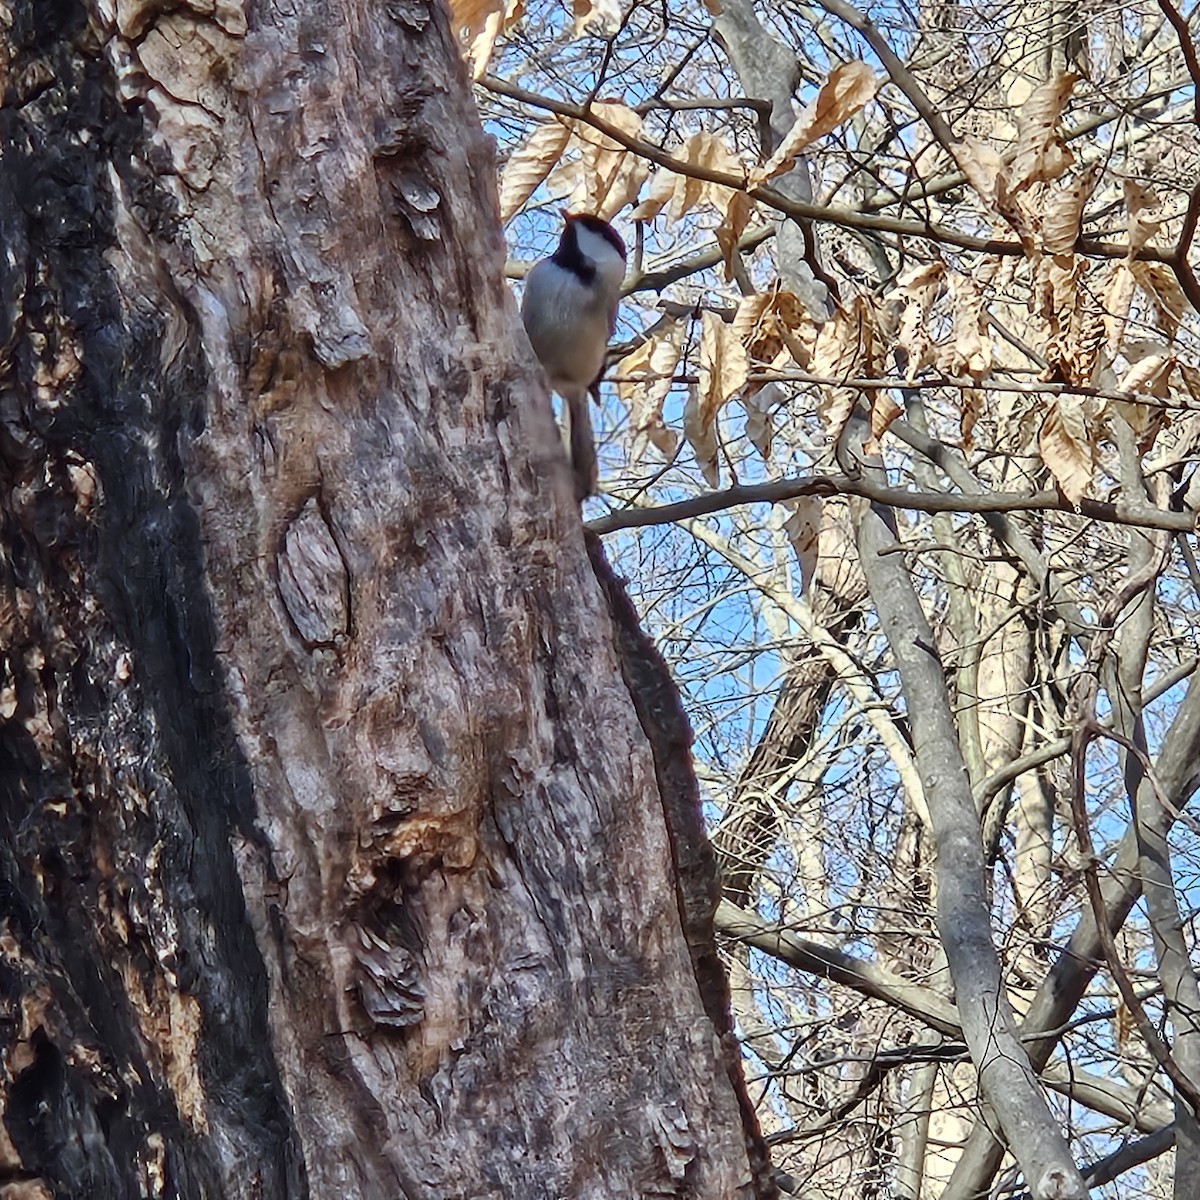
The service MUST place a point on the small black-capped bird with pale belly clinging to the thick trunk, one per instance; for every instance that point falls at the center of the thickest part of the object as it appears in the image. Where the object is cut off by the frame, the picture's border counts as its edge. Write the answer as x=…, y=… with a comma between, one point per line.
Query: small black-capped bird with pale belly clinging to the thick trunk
x=569, y=310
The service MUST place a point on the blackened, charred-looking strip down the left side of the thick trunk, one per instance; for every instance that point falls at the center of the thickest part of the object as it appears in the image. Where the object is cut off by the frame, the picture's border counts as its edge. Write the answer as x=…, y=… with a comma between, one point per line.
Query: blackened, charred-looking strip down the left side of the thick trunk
x=122, y=788
